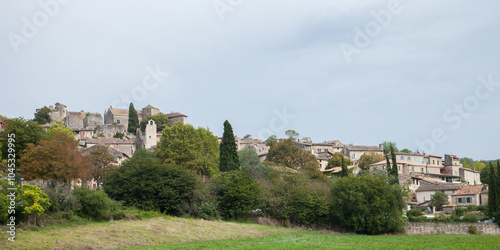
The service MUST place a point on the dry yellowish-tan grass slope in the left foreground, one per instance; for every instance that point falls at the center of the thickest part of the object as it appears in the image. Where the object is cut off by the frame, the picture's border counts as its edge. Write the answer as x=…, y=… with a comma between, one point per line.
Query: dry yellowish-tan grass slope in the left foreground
x=121, y=234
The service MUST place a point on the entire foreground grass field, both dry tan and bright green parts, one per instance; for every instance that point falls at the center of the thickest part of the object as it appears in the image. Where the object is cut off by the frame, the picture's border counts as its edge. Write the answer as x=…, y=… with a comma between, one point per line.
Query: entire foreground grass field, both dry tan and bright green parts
x=167, y=232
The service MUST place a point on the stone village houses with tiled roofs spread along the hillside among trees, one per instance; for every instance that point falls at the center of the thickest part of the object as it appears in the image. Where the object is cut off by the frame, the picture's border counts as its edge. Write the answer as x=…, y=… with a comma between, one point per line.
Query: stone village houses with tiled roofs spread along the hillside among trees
x=426, y=173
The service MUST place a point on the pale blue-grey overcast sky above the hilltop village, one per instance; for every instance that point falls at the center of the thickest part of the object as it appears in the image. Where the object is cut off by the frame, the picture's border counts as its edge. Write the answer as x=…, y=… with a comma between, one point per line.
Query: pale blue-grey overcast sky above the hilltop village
x=424, y=74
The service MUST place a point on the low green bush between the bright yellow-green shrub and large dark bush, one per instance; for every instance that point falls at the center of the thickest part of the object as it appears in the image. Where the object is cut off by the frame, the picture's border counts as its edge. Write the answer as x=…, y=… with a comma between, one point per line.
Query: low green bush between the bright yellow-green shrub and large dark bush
x=95, y=204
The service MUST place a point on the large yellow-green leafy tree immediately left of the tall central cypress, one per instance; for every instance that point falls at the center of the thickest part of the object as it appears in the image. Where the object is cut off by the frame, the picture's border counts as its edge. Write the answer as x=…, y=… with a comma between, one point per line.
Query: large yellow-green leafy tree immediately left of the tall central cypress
x=194, y=149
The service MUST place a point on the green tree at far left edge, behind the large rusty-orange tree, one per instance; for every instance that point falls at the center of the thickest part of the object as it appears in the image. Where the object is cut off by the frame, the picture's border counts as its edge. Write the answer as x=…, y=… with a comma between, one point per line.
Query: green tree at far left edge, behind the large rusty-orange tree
x=24, y=132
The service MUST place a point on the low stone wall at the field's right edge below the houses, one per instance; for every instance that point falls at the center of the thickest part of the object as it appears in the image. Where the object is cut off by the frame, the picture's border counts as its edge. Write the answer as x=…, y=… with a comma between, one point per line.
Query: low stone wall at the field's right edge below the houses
x=424, y=228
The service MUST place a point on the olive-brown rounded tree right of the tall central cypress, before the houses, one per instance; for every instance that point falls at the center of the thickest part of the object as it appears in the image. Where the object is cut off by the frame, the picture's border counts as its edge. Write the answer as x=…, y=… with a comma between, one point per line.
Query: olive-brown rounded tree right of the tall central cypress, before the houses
x=286, y=153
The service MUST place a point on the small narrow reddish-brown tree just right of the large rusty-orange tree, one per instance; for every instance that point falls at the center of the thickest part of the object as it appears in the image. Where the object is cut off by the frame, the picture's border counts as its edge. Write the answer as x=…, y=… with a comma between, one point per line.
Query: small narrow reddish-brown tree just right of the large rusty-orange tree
x=101, y=162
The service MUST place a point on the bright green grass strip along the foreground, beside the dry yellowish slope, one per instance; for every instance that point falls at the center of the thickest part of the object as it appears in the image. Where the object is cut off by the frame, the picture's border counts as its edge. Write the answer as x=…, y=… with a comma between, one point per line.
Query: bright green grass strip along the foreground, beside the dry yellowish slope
x=319, y=240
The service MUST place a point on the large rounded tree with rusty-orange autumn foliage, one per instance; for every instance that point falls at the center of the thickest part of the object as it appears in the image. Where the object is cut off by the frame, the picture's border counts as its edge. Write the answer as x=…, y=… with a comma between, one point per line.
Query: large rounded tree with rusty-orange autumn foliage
x=57, y=160
